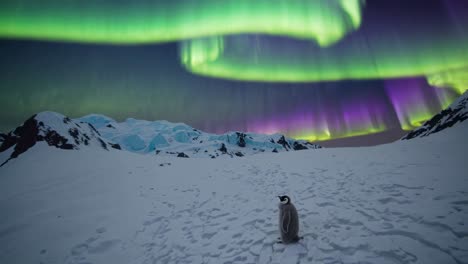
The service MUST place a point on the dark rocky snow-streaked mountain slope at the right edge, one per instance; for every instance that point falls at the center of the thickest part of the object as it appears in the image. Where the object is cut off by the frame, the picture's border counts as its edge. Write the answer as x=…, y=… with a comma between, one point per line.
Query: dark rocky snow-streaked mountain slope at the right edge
x=457, y=112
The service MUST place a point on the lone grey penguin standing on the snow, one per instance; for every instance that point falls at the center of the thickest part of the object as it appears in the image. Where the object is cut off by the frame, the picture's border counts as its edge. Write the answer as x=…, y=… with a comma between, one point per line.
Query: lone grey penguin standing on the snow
x=288, y=221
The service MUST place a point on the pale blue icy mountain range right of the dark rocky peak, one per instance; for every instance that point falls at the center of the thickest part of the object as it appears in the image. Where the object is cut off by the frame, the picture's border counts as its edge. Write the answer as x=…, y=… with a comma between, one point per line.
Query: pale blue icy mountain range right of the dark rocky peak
x=172, y=139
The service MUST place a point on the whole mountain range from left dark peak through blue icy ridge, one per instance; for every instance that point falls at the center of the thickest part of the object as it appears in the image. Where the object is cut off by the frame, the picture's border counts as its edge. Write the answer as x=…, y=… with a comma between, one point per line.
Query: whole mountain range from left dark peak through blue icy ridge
x=160, y=138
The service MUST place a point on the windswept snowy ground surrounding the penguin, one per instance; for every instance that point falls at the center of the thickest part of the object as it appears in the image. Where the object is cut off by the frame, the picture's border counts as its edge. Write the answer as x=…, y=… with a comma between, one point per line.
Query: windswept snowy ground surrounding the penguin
x=404, y=202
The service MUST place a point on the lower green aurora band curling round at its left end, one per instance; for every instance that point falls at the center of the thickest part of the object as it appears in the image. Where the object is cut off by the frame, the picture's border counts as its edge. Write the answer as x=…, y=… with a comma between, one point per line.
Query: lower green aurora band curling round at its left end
x=254, y=58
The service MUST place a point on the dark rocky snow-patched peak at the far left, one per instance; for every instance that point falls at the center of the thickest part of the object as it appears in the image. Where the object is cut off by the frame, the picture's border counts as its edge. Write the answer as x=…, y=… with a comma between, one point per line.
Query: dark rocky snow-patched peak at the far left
x=56, y=130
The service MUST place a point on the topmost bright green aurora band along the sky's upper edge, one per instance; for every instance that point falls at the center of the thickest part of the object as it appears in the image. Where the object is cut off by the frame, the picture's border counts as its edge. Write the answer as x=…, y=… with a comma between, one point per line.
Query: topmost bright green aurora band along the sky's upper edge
x=152, y=21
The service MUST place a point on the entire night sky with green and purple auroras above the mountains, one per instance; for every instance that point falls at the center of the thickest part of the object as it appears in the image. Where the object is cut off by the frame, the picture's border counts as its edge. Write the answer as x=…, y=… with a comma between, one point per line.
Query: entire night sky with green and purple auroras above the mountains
x=344, y=72
